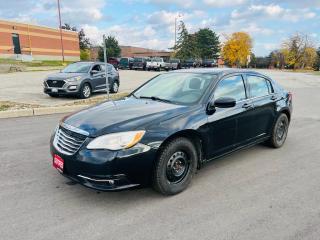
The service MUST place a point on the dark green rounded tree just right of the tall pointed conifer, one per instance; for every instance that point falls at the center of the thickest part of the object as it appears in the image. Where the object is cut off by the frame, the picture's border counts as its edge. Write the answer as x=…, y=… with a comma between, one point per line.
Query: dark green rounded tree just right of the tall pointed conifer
x=207, y=43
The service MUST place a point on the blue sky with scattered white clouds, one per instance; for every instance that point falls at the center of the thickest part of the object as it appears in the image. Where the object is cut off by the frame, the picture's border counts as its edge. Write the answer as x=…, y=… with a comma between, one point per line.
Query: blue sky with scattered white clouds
x=150, y=23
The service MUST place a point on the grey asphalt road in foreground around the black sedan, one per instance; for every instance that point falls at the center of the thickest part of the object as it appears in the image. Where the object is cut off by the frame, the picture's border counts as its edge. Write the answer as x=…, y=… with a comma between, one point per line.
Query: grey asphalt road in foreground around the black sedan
x=258, y=193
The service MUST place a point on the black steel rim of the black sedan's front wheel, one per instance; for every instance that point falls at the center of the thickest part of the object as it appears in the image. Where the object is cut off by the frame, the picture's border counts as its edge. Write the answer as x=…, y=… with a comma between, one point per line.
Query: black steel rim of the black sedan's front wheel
x=177, y=167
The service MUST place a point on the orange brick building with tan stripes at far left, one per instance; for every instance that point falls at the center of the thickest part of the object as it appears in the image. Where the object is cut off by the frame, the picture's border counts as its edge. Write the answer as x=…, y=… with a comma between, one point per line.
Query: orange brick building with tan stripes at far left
x=24, y=41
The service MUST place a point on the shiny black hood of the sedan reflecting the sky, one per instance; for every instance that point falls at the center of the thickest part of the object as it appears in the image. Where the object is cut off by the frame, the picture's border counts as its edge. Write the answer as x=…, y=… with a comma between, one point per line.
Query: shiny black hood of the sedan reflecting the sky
x=123, y=115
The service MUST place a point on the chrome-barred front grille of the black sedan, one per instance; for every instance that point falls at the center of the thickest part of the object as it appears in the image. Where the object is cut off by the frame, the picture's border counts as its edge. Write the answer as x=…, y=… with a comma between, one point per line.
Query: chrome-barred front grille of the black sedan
x=68, y=142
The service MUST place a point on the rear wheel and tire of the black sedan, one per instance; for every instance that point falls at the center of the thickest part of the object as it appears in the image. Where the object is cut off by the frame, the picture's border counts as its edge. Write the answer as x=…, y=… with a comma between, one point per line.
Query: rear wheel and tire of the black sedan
x=279, y=132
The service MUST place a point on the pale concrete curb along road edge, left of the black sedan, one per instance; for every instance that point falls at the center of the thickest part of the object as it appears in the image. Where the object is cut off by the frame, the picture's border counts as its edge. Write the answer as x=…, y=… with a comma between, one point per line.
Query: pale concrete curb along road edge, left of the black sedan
x=29, y=112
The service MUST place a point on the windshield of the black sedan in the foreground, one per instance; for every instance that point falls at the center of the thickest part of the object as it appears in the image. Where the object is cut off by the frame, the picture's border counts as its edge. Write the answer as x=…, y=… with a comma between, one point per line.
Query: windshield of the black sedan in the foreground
x=179, y=88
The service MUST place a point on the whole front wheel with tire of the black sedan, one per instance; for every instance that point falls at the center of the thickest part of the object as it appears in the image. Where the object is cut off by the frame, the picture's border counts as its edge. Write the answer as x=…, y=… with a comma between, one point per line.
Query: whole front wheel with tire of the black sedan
x=175, y=166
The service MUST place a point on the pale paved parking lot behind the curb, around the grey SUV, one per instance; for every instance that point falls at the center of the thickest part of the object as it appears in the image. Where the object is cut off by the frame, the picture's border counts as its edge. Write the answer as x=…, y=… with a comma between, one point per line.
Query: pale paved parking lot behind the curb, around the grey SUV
x=26, y=87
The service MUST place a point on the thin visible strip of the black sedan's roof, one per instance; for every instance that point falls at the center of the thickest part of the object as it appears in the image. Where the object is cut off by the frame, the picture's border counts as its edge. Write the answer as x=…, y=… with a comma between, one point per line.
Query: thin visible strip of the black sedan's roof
x=219, y=71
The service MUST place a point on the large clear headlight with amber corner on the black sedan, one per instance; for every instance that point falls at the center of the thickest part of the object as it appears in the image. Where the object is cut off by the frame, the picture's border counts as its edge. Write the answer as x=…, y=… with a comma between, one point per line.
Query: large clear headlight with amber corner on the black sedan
x=116, y=141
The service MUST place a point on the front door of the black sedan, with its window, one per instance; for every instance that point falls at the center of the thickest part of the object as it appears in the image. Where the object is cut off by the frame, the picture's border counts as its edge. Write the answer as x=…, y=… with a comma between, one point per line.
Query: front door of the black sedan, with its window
x=223, y=123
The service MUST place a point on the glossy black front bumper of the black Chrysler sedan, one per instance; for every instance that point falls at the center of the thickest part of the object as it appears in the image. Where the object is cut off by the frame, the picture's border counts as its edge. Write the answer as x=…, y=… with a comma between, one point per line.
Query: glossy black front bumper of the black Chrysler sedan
x=106, y=170
